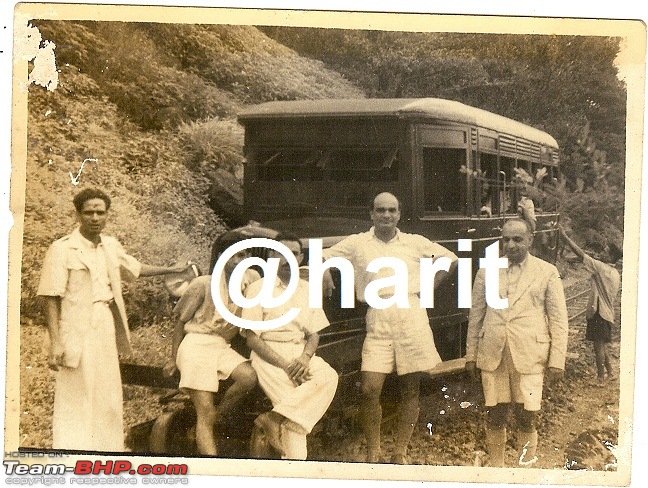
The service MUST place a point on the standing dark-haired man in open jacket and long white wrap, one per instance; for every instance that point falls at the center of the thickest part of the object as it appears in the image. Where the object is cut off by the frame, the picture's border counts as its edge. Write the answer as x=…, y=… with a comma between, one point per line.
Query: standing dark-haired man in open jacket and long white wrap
x=82, y=291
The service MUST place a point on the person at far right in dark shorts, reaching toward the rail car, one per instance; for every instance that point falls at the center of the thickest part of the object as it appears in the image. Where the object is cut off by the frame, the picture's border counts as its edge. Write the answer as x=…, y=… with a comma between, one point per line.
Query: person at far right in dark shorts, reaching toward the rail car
x=604, y=288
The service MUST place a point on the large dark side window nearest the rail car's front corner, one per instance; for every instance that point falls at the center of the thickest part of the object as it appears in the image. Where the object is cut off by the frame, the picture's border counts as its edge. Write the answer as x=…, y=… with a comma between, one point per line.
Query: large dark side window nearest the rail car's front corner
x=443, y=181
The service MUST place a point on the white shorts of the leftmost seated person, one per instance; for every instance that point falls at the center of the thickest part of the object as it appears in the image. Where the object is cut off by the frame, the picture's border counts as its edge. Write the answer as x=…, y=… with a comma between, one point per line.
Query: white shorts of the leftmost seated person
x=204, y=360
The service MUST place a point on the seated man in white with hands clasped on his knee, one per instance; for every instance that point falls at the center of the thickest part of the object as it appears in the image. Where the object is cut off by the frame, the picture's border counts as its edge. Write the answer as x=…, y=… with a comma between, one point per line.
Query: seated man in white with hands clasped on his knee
x=300, y=385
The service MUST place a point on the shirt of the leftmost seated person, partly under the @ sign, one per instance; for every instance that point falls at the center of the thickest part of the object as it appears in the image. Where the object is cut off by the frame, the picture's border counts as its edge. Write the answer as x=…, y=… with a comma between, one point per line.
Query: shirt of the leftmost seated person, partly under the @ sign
x=196, y=307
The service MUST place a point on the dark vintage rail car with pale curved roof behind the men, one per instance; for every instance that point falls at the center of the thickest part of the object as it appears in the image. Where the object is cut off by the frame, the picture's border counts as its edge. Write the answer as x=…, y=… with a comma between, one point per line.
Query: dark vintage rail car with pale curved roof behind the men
x=313, y=167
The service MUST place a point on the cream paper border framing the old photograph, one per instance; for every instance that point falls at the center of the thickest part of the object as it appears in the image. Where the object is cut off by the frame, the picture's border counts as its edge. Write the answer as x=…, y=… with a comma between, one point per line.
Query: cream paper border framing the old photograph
x=391, y=21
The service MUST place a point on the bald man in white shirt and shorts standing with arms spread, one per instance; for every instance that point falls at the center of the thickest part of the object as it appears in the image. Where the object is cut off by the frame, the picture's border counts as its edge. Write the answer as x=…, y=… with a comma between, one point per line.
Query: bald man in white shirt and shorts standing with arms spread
x=398, y=339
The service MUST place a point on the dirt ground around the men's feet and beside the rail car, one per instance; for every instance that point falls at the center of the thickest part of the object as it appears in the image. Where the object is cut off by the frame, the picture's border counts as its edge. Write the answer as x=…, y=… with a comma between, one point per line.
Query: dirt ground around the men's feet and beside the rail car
x=451, y=426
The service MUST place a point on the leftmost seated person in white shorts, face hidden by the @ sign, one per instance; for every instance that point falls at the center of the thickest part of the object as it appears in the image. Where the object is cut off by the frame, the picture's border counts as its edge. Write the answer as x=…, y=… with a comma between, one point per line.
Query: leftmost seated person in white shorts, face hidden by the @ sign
x=203, y=355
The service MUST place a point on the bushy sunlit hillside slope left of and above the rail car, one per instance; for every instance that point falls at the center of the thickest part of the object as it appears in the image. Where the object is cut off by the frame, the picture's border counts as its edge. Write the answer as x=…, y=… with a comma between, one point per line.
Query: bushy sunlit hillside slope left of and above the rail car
x=150, y=109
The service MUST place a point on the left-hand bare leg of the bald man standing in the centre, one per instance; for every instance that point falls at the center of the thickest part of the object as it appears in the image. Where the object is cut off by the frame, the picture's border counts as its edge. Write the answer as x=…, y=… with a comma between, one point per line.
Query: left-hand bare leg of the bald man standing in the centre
x=371, y=412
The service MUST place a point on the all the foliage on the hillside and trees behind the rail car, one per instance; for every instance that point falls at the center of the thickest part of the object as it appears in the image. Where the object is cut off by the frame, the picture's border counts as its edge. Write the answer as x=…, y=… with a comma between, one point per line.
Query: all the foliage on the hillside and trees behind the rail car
x=155, y=105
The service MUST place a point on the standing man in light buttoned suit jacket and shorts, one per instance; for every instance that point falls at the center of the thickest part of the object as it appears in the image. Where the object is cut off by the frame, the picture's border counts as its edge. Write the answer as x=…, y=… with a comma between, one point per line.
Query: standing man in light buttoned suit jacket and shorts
x=515, y=346
